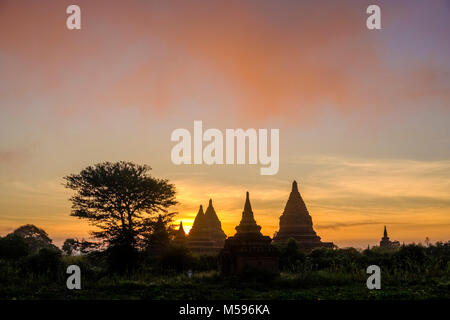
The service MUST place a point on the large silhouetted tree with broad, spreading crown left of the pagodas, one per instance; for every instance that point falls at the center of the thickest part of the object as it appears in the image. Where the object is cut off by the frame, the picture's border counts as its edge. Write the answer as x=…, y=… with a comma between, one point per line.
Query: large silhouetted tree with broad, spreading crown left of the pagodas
x=118, y=198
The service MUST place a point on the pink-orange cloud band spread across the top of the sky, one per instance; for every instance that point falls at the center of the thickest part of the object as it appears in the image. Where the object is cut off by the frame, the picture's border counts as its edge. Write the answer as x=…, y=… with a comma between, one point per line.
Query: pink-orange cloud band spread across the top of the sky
x=271, y=60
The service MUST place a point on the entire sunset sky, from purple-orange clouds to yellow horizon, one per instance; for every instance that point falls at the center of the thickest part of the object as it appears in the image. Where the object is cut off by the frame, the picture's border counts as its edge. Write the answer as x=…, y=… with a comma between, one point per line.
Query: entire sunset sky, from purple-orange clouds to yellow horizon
x=364, y=115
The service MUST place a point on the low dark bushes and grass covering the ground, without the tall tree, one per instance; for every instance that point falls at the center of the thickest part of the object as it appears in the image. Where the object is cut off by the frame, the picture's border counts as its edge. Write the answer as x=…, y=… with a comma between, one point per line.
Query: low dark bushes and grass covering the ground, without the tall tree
x=409, y=272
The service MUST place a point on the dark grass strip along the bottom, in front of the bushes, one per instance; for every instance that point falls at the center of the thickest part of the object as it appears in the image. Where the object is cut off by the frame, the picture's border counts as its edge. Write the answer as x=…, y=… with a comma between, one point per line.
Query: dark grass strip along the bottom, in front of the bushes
x=318, y=285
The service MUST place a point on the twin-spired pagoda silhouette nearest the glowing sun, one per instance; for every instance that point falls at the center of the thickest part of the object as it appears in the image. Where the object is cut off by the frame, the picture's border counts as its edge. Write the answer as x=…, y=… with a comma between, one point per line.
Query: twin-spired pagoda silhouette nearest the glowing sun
x=206, y=234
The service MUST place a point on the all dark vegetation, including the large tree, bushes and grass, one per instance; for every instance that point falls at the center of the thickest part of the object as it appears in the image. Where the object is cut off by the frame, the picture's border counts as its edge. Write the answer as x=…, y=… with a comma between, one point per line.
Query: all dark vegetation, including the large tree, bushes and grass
x=137, y=257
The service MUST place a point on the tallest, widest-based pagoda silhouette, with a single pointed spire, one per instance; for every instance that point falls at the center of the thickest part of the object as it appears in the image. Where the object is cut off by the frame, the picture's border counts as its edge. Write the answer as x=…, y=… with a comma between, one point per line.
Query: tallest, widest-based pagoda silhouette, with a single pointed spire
x=296, y=223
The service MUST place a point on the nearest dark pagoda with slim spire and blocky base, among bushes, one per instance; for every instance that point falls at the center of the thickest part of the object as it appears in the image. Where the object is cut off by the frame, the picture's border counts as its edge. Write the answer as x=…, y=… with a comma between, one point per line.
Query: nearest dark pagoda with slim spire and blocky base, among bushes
x=248, y=249
